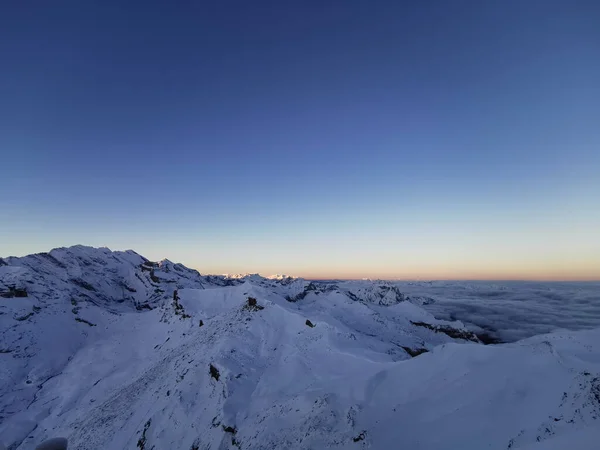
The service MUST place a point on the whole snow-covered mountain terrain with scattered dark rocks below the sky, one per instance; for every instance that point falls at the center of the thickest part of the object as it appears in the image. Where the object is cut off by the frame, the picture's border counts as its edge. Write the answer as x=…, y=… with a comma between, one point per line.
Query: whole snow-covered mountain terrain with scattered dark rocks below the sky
x=116, y=352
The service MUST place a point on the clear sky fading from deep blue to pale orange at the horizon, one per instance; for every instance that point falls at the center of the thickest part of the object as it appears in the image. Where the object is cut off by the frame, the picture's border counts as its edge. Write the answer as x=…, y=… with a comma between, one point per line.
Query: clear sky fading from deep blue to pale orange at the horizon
x=438, y=139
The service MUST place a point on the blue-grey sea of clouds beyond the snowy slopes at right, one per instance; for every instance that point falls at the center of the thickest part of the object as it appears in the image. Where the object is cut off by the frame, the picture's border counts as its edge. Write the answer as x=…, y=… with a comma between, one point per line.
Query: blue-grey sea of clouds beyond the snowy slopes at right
x=513, y=310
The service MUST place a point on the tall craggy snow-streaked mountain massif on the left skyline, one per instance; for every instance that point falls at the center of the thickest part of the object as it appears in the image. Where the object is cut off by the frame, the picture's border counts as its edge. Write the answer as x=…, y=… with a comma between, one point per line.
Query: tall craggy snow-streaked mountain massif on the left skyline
x=114, y=280
